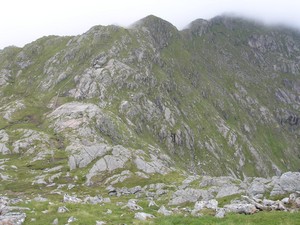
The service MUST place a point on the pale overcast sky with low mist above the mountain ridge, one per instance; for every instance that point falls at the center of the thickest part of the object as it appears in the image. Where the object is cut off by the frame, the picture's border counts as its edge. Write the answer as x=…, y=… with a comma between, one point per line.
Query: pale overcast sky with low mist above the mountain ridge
x=23, y=21
